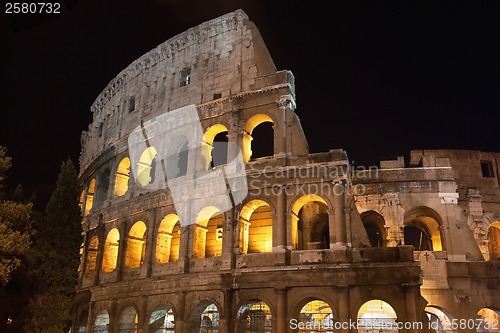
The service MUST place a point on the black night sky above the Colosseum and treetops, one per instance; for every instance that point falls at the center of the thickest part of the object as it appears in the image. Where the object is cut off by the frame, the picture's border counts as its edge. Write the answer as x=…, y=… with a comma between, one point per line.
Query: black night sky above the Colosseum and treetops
x=376, y=78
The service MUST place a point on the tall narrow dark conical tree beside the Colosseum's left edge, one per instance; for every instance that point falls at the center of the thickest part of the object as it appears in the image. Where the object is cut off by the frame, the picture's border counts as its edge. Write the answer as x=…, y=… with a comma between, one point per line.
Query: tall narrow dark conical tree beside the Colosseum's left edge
x=56, y=256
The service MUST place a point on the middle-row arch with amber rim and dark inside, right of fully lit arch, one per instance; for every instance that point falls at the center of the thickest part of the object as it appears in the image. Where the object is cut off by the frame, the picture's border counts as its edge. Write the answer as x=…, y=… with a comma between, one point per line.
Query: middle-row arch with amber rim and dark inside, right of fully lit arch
x=310, y=226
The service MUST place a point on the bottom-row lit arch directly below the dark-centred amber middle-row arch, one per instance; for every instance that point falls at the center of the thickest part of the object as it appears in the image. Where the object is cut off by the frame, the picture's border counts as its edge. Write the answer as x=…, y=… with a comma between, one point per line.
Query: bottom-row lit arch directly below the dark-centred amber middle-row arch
x=316, y=316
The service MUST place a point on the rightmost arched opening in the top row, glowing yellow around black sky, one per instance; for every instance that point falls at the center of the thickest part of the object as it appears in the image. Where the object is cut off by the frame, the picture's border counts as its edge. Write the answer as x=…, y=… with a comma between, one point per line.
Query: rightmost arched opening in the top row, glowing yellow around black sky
x=258, y=137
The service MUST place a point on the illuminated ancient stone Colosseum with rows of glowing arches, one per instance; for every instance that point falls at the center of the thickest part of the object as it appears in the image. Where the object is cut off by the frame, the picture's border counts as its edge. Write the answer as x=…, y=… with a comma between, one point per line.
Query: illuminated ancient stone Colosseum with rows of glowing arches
x=300, y=241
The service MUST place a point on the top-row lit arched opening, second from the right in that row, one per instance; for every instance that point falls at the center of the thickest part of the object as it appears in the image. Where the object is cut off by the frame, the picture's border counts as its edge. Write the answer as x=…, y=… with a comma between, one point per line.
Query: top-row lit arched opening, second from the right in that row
x=214, y=146
